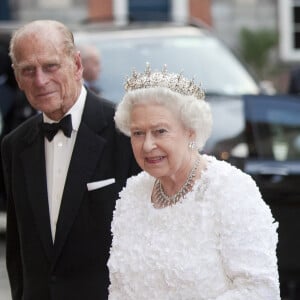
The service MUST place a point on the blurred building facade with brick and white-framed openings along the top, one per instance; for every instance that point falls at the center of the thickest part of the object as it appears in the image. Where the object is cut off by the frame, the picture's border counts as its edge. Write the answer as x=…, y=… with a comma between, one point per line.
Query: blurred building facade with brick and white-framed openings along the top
x=226, y=18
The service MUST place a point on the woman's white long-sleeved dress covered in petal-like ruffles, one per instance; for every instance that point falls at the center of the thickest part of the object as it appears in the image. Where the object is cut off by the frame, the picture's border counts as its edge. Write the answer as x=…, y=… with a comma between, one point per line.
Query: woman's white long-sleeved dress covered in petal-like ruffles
x=218, y=243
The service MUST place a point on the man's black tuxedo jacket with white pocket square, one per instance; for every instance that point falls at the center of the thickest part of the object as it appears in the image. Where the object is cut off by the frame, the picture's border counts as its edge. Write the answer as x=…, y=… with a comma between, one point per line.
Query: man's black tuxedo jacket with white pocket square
x=74, y=267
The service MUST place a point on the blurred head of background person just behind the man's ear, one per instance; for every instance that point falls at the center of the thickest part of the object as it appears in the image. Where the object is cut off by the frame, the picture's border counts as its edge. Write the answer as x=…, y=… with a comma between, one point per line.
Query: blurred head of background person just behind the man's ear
x=91, y=61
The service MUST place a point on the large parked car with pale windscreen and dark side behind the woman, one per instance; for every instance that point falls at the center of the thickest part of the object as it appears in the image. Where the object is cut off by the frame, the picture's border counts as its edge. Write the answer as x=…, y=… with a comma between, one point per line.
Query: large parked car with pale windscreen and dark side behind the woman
x=258, y=133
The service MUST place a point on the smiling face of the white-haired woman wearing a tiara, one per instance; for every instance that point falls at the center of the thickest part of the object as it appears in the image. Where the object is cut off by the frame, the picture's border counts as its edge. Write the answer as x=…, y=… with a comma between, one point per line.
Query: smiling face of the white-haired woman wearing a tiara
x=159, y=141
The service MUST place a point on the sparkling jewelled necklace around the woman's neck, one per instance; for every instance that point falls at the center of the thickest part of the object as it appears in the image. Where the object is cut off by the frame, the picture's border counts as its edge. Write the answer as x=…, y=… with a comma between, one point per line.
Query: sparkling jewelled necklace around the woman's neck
x=160, y=199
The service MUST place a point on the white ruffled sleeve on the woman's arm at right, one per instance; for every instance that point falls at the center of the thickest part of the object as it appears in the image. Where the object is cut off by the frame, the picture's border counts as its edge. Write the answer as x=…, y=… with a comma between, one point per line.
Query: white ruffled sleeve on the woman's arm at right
x=247, y=235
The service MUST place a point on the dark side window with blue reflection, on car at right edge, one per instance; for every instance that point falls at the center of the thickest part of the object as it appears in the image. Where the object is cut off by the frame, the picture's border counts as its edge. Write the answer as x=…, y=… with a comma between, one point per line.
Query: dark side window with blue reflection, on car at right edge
x=274, y=124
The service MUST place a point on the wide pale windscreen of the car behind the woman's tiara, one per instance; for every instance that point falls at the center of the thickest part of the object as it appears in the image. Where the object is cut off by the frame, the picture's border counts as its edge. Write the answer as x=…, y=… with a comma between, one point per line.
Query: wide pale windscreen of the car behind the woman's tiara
x=202, y=57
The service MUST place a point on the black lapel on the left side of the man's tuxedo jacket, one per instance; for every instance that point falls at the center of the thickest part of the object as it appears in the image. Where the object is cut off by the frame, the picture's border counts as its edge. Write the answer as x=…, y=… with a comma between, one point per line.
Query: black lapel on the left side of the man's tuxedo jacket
x=35, y=176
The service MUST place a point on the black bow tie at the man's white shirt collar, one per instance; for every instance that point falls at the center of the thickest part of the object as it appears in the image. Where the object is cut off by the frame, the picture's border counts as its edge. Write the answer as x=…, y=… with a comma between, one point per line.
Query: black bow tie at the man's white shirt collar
x=50, y=129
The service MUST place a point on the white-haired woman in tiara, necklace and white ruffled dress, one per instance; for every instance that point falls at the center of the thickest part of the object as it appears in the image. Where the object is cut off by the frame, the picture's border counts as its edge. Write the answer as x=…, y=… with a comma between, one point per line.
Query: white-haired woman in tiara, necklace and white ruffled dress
x=189, y=227
